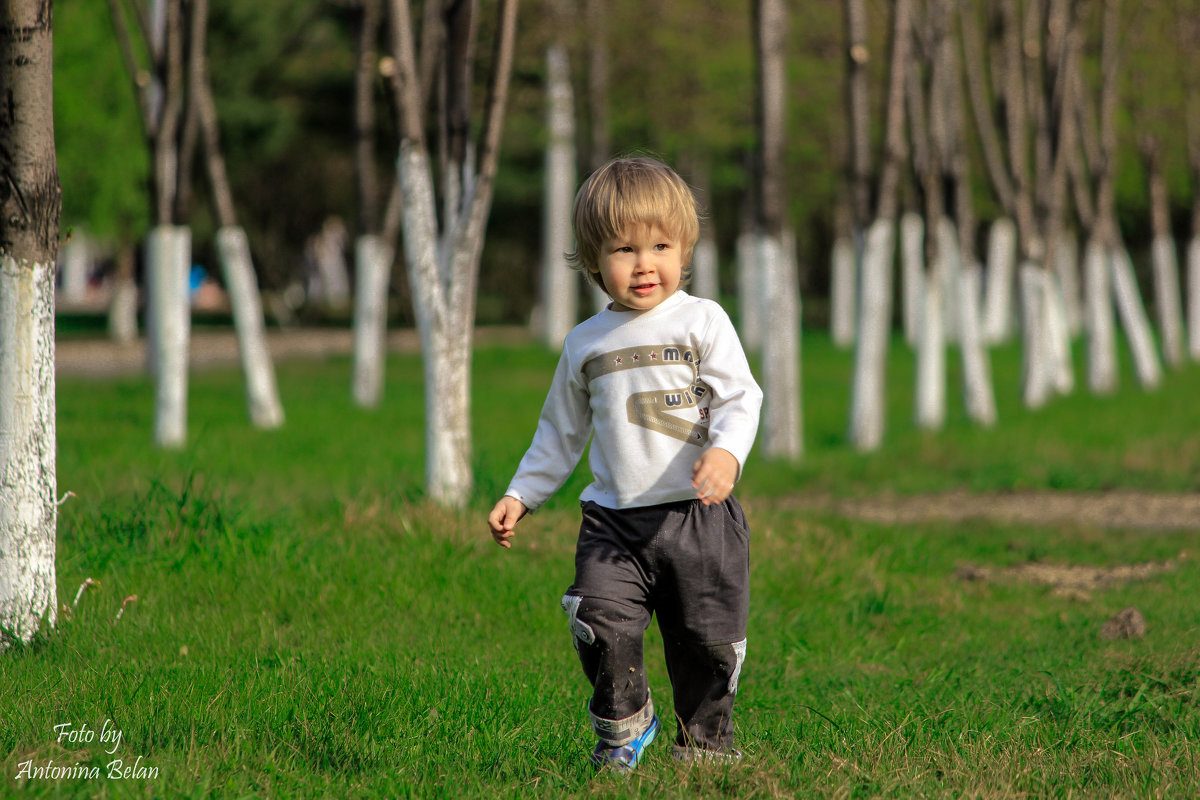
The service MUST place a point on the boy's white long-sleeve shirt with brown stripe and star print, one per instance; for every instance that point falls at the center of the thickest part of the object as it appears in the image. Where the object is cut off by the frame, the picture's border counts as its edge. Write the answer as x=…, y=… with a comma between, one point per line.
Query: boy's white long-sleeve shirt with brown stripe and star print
x=656, y=389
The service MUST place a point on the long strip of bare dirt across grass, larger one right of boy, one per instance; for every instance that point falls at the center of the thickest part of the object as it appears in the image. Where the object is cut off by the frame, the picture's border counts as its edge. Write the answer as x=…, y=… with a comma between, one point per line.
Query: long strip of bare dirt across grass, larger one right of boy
x=1108, y=510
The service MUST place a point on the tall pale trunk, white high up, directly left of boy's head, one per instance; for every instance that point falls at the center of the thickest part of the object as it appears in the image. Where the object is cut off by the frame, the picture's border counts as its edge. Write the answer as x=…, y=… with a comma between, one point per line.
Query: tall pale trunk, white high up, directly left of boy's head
x=560, y=285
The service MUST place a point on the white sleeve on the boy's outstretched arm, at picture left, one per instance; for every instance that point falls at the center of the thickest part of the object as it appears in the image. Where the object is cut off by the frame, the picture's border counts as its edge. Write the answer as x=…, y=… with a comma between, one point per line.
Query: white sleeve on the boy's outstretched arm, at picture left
x=559, y=443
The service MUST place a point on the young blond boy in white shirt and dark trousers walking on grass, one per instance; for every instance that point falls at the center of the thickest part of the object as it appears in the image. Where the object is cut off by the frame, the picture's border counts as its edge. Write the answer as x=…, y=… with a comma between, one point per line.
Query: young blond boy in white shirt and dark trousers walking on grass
x=662, y=386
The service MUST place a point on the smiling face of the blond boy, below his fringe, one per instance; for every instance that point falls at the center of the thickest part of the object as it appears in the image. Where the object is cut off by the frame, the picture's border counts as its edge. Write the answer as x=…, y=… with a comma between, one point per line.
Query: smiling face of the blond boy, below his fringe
x=641, y=268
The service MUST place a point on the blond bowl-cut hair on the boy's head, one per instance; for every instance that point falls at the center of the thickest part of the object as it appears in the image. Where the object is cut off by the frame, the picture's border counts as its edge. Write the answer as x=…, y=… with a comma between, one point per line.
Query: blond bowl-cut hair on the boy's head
x=631, y=193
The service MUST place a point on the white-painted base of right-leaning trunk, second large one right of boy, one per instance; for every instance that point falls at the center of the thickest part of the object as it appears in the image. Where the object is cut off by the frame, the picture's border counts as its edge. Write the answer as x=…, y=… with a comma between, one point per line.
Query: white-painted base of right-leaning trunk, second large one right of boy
x=868, y=405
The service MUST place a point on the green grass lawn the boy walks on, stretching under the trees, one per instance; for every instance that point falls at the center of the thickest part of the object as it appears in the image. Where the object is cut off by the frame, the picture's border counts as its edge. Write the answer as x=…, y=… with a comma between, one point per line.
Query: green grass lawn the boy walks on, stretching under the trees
x=308, y=627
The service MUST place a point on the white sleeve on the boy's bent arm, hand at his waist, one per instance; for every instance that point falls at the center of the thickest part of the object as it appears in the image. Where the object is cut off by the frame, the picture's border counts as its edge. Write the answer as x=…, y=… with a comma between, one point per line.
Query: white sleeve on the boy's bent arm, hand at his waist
x=736, y=399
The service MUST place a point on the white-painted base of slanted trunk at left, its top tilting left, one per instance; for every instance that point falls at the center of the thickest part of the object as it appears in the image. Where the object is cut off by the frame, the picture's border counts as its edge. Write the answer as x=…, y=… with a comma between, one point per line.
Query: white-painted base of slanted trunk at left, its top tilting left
x=262, y=395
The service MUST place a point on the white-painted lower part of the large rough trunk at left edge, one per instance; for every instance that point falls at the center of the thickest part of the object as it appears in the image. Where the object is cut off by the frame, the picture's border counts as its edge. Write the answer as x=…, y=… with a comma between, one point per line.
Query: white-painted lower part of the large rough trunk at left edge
x=28, y=441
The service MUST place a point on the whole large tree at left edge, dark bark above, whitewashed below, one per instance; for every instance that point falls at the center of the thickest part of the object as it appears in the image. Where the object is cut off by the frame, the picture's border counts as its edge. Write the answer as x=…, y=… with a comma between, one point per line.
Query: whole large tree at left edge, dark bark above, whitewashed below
x=31, y=207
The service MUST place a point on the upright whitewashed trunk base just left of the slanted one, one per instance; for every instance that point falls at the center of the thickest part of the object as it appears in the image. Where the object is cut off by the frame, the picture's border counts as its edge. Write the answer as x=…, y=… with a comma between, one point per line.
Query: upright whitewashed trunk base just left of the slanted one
x=169, y=330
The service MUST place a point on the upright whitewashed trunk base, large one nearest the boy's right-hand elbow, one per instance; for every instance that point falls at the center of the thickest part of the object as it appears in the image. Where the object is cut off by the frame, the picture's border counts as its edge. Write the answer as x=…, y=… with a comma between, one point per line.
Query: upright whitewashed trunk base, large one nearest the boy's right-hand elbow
x=781, y=351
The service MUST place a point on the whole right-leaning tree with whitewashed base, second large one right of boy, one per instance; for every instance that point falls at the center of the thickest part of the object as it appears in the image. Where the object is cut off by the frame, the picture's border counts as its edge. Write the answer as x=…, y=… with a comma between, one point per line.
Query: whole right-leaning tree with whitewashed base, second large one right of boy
x=874, y=317
